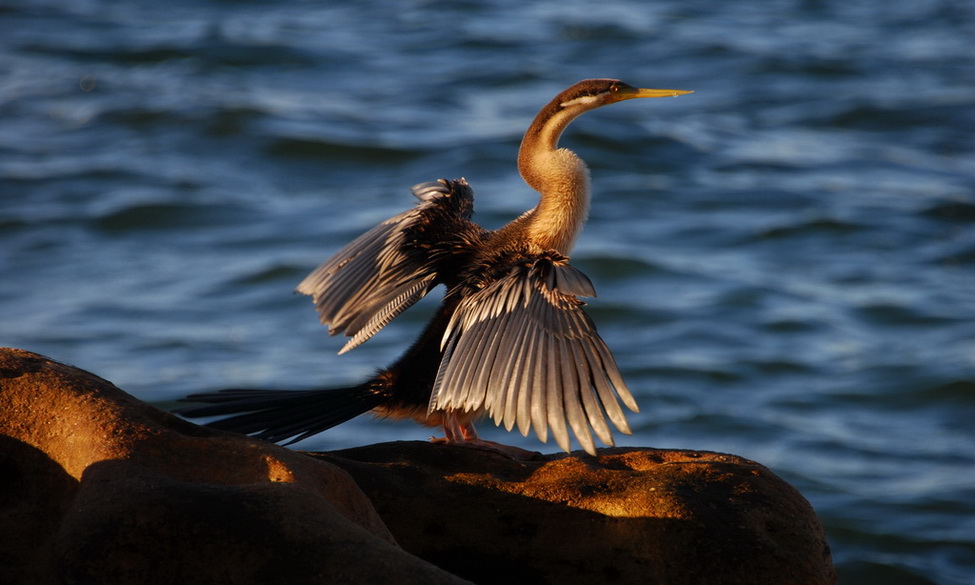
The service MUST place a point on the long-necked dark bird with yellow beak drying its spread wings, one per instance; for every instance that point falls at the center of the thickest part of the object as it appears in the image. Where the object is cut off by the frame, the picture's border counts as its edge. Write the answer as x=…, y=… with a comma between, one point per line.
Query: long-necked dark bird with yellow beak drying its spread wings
x=510, y=339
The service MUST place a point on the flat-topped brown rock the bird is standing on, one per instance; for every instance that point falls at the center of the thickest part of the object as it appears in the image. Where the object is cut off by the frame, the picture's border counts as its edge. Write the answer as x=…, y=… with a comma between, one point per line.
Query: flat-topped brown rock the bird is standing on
x=628, y=516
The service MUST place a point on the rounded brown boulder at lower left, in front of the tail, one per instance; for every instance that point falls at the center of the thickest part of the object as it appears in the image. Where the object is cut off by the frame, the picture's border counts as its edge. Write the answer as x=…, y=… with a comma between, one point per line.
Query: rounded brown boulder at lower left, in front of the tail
x=98, y=487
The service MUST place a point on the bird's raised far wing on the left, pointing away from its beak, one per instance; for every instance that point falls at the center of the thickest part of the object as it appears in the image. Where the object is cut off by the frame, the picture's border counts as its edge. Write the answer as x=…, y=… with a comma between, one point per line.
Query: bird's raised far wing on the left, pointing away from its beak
x=386, y=270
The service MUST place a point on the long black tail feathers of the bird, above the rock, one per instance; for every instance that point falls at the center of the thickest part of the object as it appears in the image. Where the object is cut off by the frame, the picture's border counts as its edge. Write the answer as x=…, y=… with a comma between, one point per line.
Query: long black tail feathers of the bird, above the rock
x=278, y=415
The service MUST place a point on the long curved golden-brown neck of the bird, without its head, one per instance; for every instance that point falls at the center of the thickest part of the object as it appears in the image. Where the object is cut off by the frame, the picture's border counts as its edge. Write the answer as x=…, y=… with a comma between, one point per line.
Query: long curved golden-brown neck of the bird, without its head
x=561, y=178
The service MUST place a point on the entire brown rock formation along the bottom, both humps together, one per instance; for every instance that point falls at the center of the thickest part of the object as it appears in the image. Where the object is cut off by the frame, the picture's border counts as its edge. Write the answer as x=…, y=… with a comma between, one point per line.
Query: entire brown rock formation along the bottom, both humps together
x=98, y=487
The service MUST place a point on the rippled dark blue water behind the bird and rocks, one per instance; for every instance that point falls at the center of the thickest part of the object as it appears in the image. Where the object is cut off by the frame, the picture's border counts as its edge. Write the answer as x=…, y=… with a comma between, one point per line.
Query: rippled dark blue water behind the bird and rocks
x=785, y=258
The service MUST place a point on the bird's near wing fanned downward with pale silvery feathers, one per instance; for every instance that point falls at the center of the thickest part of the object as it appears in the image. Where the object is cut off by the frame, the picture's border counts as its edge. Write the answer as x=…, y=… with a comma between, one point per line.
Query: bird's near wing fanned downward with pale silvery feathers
x=523, y=350
